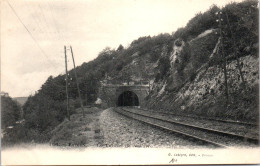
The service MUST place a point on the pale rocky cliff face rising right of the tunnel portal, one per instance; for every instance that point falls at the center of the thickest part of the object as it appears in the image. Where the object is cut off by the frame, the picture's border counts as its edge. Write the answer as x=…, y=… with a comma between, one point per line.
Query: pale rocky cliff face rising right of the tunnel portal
x=195, y=84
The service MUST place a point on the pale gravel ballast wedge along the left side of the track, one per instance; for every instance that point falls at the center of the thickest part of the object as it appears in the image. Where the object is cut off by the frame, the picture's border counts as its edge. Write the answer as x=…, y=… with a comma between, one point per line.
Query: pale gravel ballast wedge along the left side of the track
x=120, y=131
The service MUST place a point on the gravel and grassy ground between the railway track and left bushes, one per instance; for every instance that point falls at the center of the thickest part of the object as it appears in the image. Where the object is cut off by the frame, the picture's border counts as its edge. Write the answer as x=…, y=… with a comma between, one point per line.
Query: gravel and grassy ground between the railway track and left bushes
x=107, y=128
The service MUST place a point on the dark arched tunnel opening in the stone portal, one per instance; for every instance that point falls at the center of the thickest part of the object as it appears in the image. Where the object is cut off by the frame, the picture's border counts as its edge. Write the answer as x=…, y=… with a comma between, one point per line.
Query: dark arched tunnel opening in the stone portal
x=128, y=98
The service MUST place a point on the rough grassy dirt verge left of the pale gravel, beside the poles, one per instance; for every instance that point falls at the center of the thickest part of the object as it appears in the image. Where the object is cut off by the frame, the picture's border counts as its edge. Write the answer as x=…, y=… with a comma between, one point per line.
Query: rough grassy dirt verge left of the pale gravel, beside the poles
x=80, y=131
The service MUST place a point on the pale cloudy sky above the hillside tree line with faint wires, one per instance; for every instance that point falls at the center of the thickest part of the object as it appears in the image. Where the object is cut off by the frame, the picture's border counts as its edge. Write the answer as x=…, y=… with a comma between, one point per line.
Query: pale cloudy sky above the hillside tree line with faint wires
x=34, y=33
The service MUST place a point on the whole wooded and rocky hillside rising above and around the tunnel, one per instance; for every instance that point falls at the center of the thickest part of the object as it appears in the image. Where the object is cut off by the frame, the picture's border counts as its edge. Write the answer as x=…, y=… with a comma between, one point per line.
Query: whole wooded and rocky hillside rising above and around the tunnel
x=185, y=68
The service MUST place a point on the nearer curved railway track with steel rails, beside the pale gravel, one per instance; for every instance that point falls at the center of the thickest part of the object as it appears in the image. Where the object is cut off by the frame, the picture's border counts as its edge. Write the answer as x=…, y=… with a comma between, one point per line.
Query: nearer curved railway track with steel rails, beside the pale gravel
x=206, y=135
